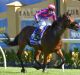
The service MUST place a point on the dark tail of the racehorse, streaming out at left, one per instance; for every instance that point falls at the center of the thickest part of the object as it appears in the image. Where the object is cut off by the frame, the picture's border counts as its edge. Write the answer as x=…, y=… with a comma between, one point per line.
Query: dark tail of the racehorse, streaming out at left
x=10, y=42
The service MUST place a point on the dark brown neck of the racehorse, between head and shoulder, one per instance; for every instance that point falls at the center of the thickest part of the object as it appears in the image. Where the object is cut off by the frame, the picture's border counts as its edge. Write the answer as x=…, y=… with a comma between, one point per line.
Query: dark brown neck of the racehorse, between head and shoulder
x=56, y=30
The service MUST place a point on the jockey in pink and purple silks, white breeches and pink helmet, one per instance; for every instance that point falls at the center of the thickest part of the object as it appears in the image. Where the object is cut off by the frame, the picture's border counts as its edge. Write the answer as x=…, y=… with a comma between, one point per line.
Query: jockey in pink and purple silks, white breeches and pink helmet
x=44, y=18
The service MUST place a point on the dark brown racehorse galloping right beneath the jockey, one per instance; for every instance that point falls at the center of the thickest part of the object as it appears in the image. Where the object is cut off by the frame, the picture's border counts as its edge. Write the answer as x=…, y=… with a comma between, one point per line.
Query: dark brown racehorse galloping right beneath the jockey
x=50, y=41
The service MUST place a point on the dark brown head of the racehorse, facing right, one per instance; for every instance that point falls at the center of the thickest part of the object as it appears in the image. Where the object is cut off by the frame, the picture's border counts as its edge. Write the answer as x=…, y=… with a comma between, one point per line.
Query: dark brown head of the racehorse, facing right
x=69, y=22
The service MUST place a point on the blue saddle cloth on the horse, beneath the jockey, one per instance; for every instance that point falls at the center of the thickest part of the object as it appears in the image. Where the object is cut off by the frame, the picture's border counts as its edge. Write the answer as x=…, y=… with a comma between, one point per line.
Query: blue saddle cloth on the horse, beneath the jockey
x=37, y=35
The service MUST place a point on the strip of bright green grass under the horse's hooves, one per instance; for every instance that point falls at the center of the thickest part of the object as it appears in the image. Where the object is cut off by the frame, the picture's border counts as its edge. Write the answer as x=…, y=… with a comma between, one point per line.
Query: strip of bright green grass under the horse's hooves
x=32, y=71
